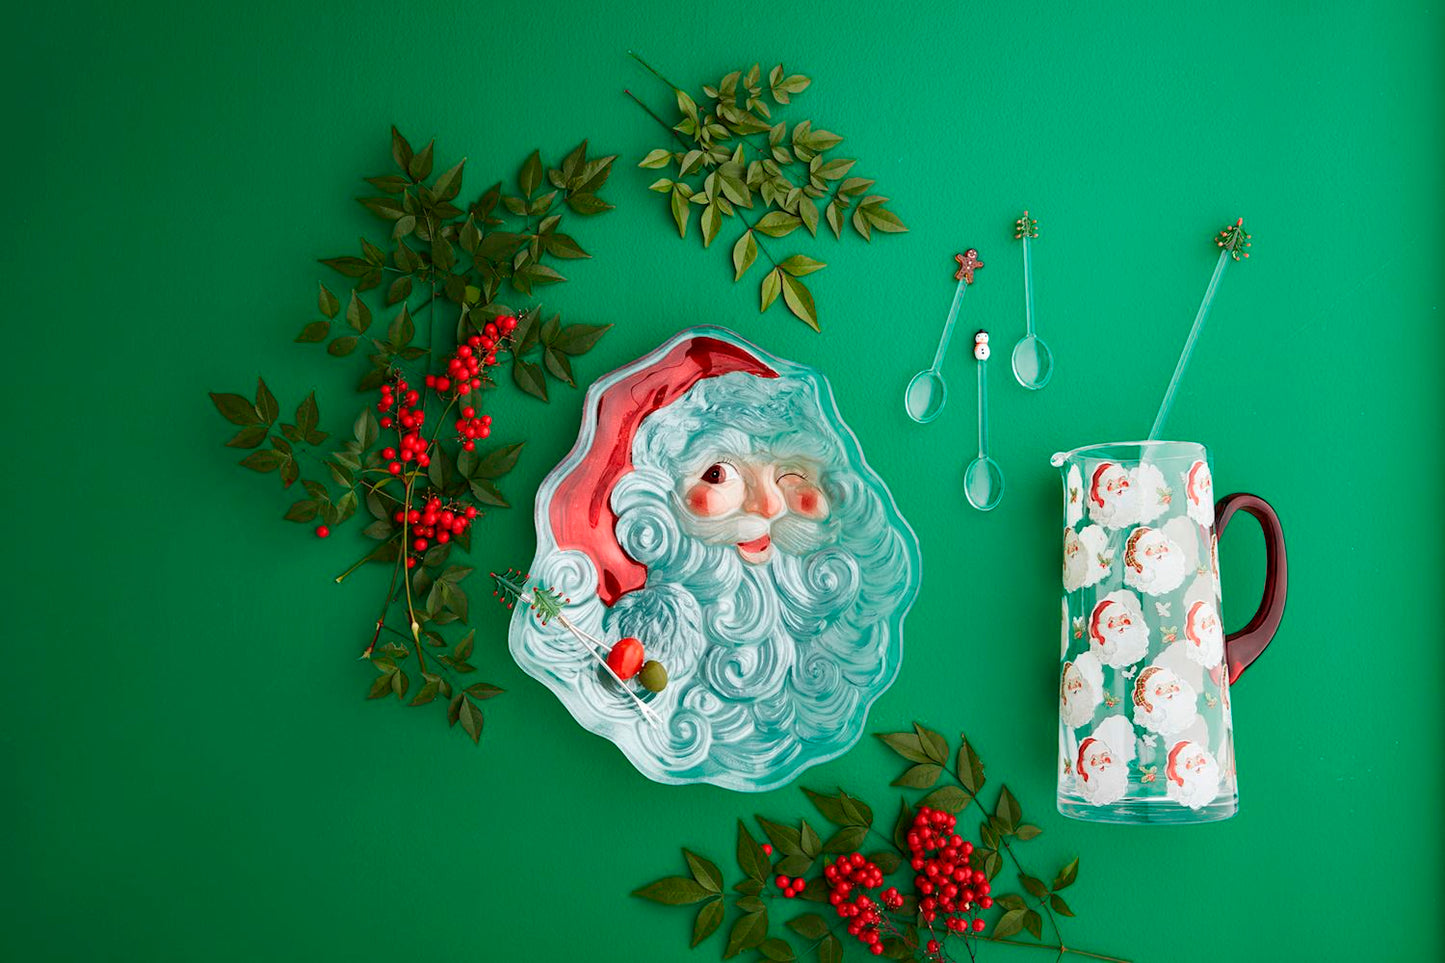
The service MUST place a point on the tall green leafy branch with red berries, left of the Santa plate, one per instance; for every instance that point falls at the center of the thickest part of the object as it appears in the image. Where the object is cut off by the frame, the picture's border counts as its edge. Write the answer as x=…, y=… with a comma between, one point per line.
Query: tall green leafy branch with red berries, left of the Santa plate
x=452, y=257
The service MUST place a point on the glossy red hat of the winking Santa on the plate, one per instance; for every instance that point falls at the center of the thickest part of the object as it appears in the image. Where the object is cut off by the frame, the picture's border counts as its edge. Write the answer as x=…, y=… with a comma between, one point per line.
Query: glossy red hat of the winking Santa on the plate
x=582, y=511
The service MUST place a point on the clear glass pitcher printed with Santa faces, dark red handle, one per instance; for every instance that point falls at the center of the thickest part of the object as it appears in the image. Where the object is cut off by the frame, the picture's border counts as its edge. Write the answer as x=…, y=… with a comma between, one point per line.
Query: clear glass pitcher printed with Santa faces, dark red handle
x=1145, y=667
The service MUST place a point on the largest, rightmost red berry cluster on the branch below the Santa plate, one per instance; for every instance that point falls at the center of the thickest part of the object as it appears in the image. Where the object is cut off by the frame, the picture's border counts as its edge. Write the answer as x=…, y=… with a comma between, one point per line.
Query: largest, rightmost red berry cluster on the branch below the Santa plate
x=949, y=887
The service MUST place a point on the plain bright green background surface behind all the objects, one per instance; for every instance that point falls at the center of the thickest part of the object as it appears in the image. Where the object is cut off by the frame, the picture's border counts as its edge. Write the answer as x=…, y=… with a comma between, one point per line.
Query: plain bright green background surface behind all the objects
x=191, y=769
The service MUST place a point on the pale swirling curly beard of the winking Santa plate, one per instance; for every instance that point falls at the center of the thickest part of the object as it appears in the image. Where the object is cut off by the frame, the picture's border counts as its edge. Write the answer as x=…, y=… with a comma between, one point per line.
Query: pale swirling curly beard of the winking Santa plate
x=767, y=657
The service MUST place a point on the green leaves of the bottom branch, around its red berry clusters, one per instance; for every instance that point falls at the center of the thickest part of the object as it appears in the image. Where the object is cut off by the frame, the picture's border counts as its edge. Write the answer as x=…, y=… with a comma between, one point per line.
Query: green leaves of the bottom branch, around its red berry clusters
x=797, y=851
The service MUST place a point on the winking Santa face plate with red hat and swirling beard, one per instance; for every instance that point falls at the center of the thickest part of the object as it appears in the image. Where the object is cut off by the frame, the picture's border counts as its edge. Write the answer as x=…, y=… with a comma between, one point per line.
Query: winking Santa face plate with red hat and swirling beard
x=717, y=508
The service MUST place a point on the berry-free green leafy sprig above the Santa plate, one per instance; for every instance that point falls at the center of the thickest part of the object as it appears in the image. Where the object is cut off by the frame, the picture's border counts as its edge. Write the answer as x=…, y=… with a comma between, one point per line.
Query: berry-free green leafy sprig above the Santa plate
x=732, y=155
